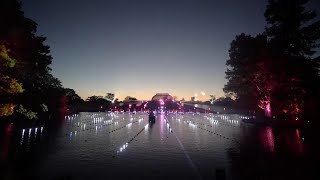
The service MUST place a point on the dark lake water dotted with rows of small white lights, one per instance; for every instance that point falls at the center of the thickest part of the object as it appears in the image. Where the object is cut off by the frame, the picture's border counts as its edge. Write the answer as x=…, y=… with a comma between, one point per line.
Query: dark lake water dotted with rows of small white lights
x=126, y=146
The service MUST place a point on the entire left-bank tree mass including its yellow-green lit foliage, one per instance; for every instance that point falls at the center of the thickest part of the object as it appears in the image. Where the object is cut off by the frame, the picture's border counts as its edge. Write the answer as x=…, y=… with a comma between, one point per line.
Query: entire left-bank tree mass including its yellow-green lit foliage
x=27, y=88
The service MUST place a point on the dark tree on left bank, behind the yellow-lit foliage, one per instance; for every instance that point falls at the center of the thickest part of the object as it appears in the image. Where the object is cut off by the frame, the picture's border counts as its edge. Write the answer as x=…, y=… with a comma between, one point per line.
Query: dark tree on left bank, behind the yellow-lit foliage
x=42, y=91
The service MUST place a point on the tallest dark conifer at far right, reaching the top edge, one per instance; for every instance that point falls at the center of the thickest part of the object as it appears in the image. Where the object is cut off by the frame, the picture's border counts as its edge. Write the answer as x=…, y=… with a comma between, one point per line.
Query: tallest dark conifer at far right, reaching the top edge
x=293, y=36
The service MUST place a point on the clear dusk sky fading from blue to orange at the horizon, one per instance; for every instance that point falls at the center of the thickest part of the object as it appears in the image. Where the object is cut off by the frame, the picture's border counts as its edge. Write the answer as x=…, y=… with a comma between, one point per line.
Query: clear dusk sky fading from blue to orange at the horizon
x=141, y=47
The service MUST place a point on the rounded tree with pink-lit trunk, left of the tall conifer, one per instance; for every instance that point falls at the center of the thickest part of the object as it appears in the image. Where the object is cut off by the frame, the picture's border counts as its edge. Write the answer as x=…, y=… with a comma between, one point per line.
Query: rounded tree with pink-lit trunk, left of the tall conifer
x=248, y=78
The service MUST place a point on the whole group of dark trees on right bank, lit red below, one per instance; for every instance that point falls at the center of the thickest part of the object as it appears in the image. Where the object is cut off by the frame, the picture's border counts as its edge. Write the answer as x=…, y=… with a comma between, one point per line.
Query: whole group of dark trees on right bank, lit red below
x=276, y=72
